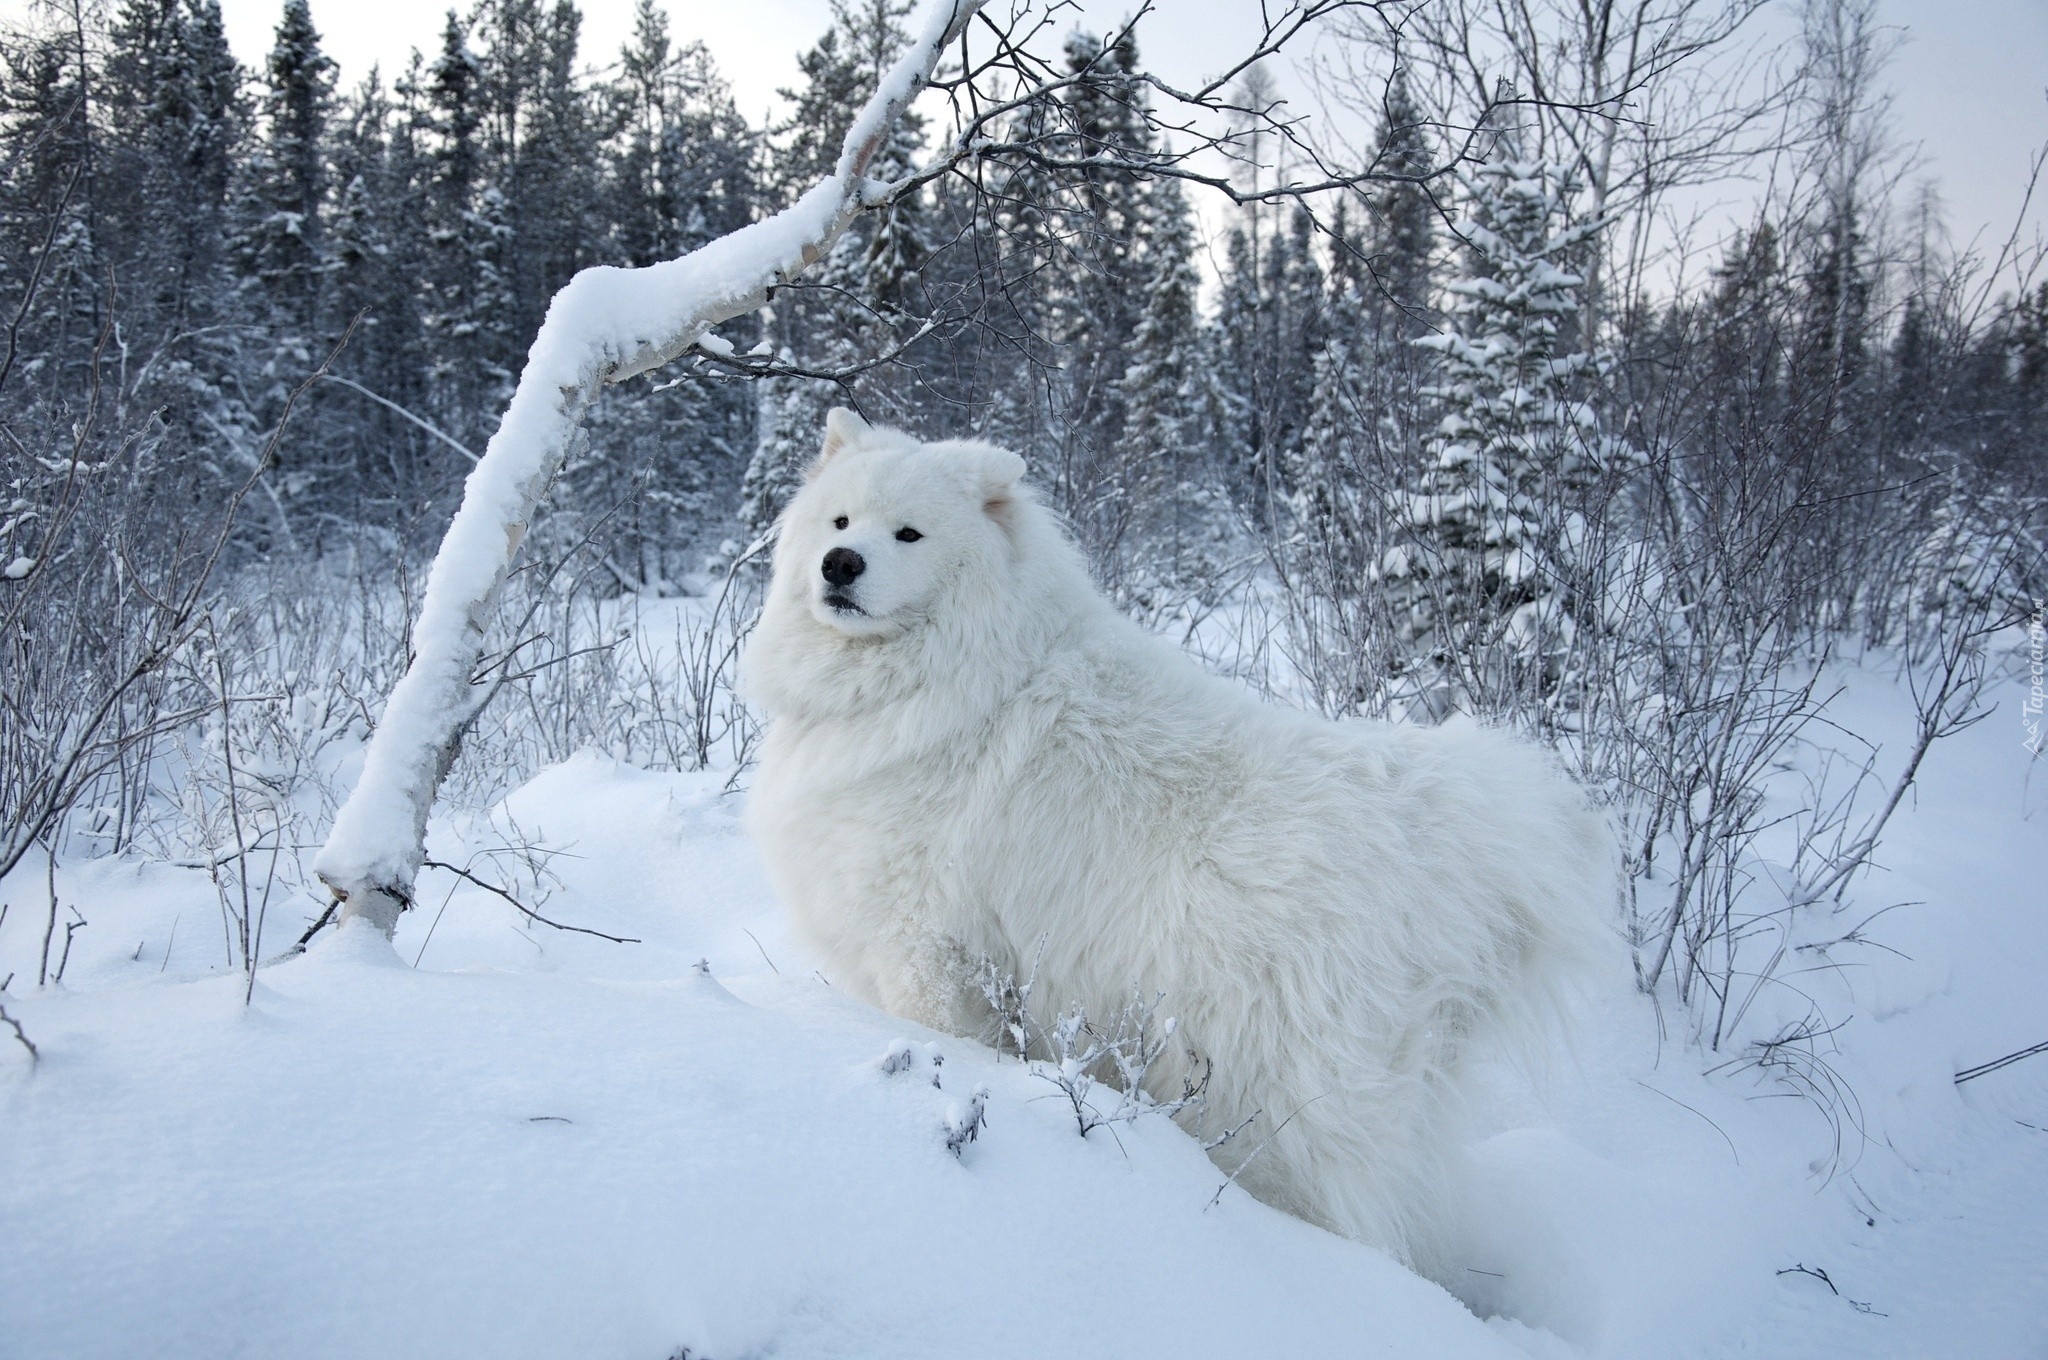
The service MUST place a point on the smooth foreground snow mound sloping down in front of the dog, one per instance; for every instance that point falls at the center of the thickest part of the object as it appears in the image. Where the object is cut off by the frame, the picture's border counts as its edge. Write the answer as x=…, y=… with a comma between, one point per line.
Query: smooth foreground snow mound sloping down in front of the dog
x=376, y=1160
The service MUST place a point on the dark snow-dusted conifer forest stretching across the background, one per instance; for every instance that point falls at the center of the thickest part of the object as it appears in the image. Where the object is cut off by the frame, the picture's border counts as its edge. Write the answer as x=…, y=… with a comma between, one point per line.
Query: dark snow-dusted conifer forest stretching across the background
x=187, y=243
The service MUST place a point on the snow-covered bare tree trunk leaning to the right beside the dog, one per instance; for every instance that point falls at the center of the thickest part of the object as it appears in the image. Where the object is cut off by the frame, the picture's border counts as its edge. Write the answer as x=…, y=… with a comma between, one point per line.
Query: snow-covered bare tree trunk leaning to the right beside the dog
x=605, y=327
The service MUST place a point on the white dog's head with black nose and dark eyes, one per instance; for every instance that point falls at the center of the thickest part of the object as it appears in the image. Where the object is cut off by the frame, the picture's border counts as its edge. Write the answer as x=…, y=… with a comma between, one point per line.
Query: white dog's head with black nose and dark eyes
x=888, y=525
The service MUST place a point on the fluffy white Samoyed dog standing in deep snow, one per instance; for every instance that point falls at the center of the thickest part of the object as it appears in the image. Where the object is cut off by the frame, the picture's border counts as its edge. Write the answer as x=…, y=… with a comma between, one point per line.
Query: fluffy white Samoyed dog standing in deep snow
x=974, y=757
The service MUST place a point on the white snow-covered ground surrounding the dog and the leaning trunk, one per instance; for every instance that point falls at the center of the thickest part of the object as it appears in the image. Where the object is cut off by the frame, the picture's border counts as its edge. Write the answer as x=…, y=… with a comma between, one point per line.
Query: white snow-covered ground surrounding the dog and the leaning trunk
x=503, y=1140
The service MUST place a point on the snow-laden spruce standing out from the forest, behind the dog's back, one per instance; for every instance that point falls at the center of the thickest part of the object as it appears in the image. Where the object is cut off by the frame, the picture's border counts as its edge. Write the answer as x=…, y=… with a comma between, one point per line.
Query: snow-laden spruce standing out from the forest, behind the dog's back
x=1480, y=564
